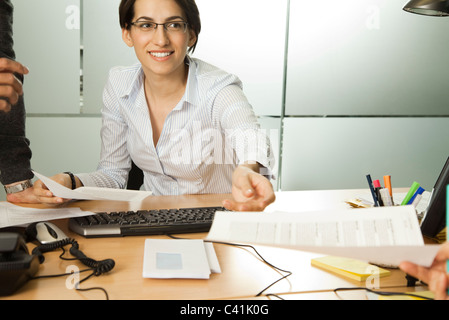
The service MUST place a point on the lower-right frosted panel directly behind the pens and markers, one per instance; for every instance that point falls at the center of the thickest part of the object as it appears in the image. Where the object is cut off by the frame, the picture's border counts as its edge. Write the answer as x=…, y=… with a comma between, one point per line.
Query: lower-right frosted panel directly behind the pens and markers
x=338, y=153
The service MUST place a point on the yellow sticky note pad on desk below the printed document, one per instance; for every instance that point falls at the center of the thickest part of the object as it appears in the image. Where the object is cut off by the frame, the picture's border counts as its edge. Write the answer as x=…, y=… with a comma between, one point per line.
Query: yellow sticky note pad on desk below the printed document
x=350, y=268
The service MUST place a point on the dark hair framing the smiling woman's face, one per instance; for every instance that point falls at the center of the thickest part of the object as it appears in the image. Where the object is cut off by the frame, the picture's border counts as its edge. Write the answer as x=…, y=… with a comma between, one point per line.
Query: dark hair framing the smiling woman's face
x=189, y=7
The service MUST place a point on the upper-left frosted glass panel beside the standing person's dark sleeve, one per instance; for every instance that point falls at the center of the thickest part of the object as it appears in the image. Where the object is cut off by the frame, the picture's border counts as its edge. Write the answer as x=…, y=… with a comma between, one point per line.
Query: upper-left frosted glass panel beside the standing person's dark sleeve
x=47, y=41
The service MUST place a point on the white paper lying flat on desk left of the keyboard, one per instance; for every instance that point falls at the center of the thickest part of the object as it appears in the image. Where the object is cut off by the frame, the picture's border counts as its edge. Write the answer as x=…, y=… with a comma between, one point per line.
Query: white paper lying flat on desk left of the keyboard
x=12, y=215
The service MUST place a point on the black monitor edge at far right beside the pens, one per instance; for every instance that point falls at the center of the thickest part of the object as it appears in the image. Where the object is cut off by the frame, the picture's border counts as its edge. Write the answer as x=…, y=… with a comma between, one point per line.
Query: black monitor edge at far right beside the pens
x=434, y=220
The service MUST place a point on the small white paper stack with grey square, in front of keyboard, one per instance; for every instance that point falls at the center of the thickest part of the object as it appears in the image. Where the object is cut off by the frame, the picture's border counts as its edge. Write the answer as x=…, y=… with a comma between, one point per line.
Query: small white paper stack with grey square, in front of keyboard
x=172, y=259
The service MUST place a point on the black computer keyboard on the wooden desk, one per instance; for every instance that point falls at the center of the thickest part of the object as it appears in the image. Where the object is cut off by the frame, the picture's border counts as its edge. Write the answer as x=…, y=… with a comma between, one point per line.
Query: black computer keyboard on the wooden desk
x=145, y=222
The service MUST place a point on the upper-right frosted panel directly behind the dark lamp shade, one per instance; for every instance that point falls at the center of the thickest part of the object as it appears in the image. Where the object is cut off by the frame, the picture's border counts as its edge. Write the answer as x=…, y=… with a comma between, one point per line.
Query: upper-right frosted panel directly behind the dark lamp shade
x=365, y=57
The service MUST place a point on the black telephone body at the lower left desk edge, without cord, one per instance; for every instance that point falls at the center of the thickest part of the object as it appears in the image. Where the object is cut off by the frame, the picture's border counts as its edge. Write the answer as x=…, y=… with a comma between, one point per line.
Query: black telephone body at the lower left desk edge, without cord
x=17, y=266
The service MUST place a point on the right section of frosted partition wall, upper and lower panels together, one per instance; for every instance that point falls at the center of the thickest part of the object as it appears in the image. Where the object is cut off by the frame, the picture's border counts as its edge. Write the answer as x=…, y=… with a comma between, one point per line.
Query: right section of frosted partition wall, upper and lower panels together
x=366, y=92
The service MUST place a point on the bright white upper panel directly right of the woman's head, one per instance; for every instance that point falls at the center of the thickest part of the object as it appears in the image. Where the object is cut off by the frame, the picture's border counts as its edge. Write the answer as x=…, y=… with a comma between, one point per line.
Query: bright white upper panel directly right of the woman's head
x=247, y=38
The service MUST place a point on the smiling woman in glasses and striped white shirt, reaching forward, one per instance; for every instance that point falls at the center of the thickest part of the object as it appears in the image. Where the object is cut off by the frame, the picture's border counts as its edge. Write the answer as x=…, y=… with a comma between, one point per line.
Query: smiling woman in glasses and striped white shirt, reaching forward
x=185, y=123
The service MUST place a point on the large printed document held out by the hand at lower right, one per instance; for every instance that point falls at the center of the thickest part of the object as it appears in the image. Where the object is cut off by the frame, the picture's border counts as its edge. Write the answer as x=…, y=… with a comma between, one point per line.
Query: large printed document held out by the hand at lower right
x=383, y=235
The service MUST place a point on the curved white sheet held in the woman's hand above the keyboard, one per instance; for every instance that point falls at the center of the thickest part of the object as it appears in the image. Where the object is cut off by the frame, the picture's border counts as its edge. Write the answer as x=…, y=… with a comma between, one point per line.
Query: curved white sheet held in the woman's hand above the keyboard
x=91, y=193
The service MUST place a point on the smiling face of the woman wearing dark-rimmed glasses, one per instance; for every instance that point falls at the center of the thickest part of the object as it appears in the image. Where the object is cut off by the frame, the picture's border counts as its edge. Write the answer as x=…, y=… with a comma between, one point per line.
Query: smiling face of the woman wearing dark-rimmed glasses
x=154, y=45
